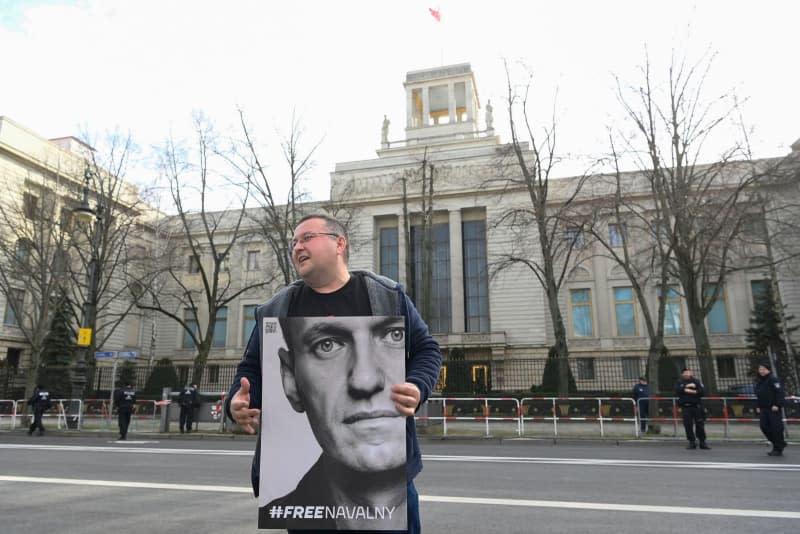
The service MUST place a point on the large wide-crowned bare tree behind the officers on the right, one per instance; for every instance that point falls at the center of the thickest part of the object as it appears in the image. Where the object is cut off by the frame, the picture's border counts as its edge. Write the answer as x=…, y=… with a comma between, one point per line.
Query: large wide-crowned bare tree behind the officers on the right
x=703, y=206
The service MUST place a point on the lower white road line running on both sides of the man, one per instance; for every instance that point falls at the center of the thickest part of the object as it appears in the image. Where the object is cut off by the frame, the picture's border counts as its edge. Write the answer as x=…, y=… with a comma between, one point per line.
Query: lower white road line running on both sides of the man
x=529, y=503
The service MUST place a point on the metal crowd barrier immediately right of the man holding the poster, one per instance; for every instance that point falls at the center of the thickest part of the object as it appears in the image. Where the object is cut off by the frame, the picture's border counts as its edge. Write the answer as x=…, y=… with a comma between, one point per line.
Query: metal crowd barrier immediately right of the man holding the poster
x=481, y=409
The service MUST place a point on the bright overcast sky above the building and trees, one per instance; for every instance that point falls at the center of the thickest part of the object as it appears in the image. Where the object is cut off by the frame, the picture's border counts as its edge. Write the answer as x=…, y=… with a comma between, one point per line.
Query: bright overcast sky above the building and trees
x=145, y=66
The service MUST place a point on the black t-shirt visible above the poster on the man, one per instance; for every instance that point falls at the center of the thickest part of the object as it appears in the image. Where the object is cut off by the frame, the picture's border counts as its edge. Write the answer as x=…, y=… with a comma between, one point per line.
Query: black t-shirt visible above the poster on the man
x=350, y=300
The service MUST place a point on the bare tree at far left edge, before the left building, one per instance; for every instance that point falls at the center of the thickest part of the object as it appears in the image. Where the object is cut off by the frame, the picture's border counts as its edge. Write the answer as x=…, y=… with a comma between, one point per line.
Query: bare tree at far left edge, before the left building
x=33, y=258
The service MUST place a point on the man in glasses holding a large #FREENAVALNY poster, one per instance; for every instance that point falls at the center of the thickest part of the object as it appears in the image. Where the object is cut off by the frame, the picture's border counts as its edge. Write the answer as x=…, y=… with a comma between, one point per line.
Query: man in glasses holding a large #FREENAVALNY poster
x=354, y=411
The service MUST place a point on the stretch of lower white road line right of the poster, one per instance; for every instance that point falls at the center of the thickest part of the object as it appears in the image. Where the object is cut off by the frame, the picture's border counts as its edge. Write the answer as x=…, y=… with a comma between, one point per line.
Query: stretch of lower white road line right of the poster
x=737, y=512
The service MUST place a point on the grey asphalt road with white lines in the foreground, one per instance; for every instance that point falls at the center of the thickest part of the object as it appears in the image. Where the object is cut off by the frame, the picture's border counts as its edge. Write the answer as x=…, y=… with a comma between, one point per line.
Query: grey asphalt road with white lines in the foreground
x=93, y=485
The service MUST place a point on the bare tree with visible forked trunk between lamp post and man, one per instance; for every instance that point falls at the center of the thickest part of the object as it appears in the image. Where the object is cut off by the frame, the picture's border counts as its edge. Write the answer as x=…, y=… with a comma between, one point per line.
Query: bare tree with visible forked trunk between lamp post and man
x=209, y=239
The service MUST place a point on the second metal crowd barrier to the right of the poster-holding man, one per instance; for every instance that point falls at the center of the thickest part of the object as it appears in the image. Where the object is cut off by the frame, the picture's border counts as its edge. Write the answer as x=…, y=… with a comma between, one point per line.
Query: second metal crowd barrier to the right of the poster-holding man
x=601, y=410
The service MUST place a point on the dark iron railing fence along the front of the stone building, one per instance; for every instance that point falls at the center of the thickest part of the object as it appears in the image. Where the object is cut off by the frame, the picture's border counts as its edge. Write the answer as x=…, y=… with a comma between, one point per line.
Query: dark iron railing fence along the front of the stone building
x=601, y=376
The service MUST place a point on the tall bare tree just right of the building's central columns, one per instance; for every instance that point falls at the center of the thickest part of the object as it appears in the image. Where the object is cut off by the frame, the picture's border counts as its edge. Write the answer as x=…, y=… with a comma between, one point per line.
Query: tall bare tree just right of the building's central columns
x=529, y=168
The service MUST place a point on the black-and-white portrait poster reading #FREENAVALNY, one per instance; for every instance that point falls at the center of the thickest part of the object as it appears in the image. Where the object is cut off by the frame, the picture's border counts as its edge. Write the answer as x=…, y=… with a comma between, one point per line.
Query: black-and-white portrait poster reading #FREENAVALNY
x=333, y=446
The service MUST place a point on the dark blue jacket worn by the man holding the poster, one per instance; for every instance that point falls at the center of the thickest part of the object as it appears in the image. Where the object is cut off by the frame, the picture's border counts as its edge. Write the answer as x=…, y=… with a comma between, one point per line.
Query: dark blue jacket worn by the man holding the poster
x=423, y=356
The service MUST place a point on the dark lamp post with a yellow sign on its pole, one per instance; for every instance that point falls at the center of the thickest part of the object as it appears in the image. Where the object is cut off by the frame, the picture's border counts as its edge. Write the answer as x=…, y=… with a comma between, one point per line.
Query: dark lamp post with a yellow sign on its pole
x=85, y=214
